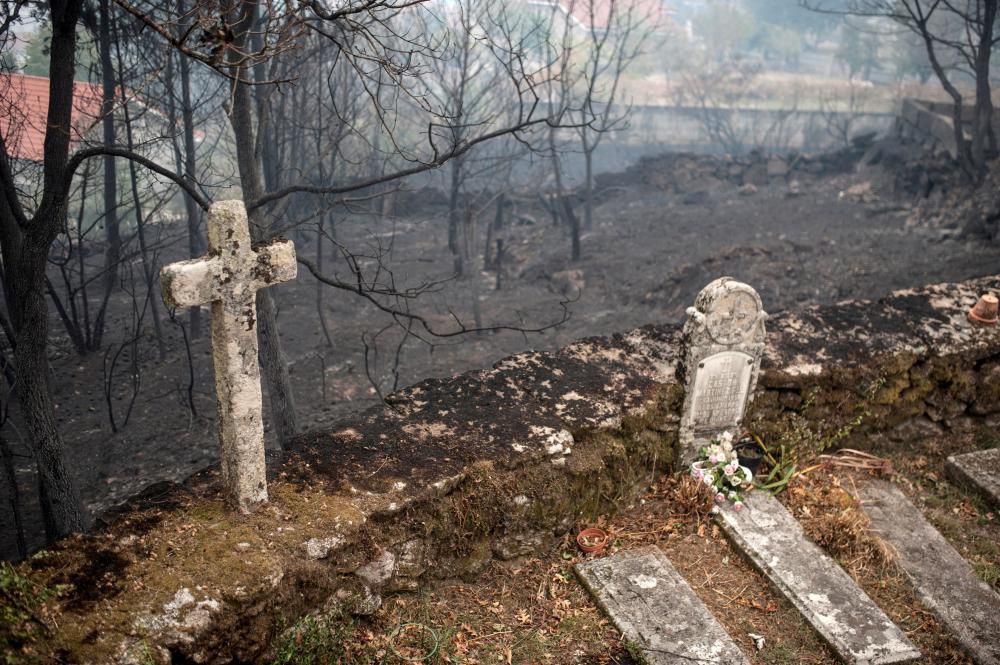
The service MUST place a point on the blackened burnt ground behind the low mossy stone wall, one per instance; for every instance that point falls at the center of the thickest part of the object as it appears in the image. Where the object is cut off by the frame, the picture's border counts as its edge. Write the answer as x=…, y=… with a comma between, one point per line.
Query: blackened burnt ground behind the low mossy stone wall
x=654, y=243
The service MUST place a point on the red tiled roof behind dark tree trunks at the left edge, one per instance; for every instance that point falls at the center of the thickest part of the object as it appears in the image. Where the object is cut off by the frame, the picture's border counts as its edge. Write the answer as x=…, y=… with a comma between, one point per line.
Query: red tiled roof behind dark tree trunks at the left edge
x=24, y=107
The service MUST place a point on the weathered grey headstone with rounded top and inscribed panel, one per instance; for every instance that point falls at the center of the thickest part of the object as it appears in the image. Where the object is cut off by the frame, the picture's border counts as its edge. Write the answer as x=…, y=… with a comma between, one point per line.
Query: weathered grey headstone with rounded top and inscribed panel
x=724, y=338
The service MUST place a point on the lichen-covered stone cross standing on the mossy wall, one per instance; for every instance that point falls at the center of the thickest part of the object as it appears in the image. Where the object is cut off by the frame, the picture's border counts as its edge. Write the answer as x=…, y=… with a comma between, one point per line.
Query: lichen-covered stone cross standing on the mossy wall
x=229, y=277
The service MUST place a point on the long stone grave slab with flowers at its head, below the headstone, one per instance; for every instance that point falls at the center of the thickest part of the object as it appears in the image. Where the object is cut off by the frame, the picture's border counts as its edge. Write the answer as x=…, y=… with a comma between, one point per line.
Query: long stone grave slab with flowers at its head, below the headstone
x=859, y=632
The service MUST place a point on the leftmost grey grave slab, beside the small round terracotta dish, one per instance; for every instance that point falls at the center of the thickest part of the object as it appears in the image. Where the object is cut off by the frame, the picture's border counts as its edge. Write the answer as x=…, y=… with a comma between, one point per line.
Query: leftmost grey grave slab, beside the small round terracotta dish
x=655, y=609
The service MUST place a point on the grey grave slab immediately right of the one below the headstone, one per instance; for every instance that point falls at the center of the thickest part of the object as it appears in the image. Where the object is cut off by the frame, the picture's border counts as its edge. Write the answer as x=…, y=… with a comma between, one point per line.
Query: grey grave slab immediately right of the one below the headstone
x=942, y=578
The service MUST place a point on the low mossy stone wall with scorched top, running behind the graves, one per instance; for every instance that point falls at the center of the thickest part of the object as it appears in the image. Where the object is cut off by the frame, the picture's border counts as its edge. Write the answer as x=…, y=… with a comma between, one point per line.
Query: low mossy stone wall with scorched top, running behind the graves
x=495, y=463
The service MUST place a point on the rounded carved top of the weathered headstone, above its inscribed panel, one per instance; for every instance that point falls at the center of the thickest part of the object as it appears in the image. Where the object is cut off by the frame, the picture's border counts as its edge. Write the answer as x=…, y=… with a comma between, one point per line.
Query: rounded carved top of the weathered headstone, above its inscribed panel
x=729, y=311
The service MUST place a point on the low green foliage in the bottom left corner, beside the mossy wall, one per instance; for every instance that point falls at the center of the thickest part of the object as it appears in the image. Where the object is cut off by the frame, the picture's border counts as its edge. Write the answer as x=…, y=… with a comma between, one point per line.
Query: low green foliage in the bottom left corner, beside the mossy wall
x=21, y=625
